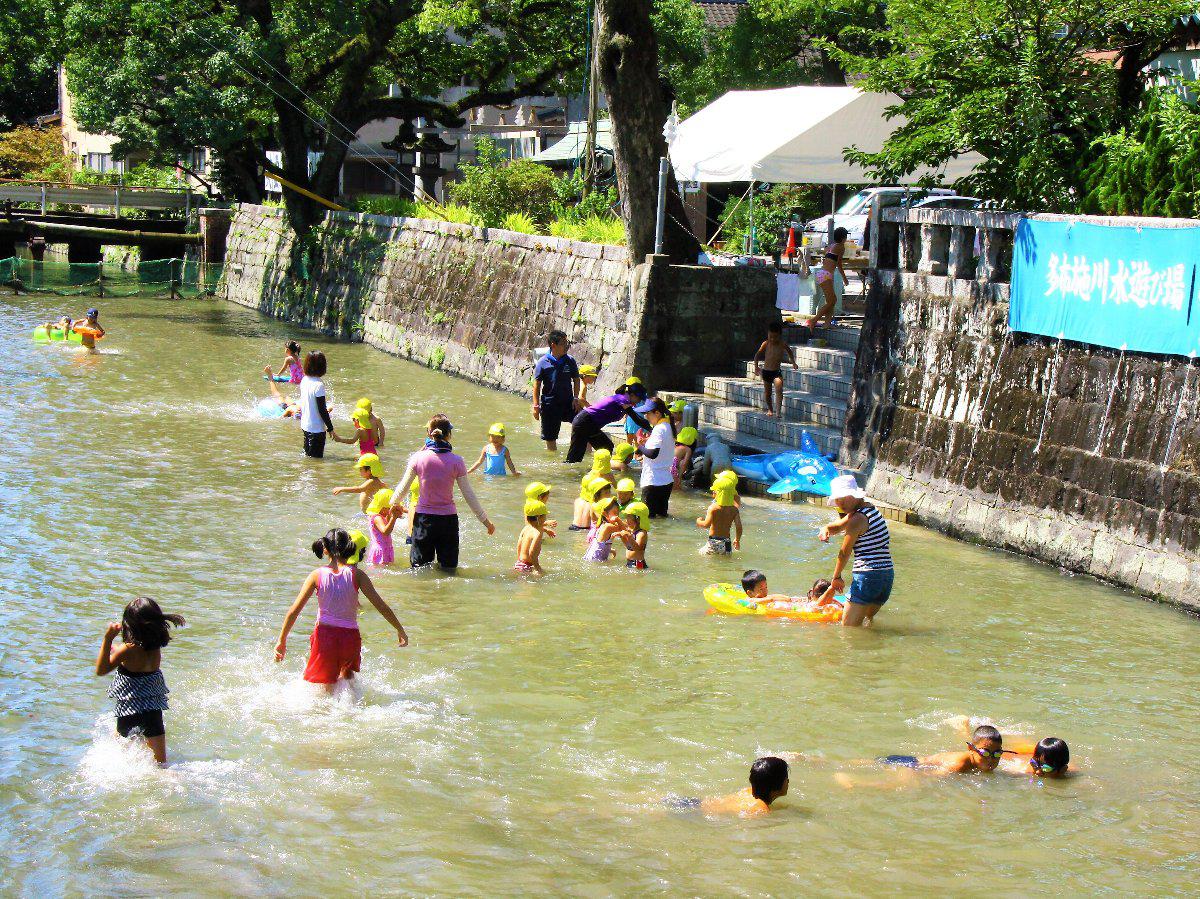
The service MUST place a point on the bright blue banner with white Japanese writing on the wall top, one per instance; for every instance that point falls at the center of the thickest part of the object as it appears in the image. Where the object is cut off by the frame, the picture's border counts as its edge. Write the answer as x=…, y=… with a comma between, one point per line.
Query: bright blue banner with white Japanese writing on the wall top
x=1113, y=286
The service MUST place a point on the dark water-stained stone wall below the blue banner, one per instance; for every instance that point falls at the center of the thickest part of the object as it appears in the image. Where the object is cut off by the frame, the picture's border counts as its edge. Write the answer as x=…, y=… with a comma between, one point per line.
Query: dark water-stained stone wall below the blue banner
x=1073, y=454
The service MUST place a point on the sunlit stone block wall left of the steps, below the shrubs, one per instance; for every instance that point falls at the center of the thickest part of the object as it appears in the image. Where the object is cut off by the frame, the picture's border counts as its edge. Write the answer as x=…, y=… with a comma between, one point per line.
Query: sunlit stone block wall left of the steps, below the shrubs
x=477, y=303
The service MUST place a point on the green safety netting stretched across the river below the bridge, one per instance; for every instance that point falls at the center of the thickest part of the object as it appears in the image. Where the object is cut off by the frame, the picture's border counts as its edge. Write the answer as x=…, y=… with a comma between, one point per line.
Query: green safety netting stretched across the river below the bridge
x=155, y=278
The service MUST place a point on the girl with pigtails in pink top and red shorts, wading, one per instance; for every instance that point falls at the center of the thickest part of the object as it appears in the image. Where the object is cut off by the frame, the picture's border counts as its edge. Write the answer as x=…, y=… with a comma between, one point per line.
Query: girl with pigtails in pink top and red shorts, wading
x=337, y=646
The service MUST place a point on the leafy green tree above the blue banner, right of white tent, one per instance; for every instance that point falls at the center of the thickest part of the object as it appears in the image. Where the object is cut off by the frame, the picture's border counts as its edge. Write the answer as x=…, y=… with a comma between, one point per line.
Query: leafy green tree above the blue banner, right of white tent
x=1030, y=85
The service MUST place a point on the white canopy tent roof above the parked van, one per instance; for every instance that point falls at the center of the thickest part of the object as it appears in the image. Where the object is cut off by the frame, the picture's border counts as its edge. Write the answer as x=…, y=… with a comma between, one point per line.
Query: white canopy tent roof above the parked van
x=791, y=136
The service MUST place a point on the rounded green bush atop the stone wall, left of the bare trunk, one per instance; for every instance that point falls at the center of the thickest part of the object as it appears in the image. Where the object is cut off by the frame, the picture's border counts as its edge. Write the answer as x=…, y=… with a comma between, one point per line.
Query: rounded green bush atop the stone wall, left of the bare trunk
x=494, y=188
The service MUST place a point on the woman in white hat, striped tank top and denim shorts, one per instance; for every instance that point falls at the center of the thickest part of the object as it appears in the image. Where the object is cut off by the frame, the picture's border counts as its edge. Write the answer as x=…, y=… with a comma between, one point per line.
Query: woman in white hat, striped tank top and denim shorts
x=865, y=537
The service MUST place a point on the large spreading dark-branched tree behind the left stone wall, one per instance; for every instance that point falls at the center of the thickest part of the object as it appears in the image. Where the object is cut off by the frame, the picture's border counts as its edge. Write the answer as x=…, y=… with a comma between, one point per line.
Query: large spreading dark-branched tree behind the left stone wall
x=301, y=76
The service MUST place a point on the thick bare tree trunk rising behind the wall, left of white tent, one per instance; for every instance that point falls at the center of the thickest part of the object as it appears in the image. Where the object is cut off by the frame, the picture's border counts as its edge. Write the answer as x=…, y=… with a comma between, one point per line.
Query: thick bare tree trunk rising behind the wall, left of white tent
x=638, y=106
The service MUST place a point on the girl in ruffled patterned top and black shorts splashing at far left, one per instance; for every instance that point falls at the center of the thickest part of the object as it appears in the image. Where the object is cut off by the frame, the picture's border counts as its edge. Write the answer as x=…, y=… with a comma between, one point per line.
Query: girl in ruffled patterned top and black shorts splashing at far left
x=140, y=690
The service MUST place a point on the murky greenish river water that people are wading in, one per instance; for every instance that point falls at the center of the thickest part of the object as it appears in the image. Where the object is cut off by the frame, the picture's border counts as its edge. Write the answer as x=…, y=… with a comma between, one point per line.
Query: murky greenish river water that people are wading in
x=527, y=738
